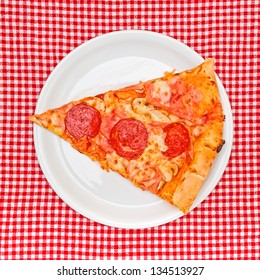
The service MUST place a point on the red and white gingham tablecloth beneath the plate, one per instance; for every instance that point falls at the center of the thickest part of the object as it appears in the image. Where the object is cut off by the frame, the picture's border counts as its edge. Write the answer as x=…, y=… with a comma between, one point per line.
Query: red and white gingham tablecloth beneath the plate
x=34, y=222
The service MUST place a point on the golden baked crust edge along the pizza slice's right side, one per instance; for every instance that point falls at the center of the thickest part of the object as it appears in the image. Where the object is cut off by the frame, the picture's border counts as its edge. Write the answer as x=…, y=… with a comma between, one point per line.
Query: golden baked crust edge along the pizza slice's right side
x=182, y=192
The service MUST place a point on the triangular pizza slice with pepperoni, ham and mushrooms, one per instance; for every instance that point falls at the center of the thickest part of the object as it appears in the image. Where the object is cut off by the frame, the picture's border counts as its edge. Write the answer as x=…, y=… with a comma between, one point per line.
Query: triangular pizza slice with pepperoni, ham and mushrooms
x=163, y=134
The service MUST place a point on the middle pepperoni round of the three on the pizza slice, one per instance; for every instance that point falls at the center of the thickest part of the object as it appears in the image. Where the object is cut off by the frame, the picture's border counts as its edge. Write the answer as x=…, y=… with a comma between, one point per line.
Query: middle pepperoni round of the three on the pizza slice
x=128, y=138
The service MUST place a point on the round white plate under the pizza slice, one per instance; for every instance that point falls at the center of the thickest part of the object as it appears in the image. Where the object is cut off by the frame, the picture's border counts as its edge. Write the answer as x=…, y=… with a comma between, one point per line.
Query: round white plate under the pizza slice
x=108, y=62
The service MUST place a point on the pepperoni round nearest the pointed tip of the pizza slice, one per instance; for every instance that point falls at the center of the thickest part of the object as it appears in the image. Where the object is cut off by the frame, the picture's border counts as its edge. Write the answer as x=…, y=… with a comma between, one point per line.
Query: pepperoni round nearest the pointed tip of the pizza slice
x=81, y=120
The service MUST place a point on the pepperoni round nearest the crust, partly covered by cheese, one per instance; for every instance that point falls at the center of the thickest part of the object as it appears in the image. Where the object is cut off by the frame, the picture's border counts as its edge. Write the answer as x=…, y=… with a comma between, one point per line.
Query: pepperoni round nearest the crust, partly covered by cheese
x=177, y=139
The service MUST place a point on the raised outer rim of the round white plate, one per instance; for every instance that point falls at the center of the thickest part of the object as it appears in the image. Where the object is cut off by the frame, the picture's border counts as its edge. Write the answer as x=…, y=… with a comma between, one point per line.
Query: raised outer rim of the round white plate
x=48, y=176
